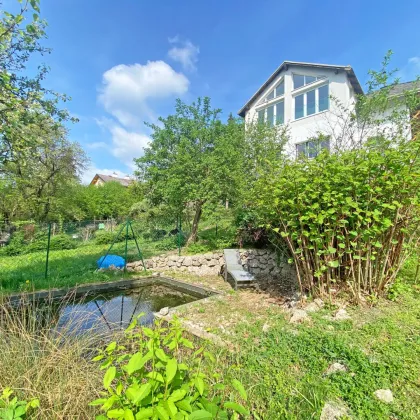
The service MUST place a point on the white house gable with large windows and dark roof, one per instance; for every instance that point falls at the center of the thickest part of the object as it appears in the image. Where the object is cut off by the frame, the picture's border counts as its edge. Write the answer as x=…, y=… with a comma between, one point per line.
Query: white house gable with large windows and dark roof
x=299, y=95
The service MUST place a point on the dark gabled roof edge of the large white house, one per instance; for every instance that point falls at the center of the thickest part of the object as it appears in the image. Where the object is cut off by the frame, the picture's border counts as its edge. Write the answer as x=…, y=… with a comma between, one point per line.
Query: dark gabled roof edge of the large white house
x=348, y=69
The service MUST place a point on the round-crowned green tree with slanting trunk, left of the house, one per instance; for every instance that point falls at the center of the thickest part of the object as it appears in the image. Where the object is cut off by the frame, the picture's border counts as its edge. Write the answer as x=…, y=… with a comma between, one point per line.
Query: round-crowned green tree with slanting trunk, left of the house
x=194, y=160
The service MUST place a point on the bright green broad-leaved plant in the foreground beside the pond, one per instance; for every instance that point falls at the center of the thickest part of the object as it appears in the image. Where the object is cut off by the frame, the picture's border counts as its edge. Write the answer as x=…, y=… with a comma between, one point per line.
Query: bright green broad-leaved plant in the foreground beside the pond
x=162, y=377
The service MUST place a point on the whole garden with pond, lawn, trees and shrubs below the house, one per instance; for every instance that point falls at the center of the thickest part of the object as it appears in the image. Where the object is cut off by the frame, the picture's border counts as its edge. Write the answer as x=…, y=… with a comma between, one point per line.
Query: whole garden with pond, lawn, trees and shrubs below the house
x=343, y=342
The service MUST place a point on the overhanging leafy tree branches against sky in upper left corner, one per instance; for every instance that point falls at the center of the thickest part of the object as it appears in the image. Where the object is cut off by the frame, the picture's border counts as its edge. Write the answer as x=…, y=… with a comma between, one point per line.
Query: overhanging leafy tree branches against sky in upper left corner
x=24, y=101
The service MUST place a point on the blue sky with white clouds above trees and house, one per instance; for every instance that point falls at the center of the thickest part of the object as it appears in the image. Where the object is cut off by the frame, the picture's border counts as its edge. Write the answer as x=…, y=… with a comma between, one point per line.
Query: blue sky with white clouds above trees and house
x=125, y=62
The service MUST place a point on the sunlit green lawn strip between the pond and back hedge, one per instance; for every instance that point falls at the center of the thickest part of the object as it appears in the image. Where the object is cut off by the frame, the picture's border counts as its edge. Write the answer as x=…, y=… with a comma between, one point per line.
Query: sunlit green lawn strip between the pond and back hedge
x=66, y=268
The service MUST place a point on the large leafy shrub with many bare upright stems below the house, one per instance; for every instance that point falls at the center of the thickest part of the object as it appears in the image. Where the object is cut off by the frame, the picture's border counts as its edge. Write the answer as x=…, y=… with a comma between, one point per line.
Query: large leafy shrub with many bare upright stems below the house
x=348, y=218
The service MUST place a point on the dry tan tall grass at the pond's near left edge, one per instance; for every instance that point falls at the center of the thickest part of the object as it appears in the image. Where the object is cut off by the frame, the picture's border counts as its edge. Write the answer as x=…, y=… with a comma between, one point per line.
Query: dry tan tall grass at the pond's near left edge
x=37, y=361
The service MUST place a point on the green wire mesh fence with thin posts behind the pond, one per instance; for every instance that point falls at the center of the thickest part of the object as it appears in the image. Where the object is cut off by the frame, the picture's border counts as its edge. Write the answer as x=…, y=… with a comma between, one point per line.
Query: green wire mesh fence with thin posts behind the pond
x=30, y=251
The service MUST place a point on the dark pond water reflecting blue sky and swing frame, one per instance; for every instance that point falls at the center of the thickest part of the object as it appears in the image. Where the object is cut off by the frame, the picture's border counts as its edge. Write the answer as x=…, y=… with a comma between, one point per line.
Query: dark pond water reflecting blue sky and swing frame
x=106, y=311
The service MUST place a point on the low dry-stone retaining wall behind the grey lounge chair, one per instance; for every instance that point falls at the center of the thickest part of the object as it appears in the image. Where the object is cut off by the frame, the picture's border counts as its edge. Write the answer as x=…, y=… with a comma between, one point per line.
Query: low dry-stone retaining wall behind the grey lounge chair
x=263, y=263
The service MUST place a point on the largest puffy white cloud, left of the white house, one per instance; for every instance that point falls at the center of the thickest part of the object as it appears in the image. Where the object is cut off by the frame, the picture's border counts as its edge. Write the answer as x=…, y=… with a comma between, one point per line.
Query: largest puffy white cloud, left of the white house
x=128, y=90
